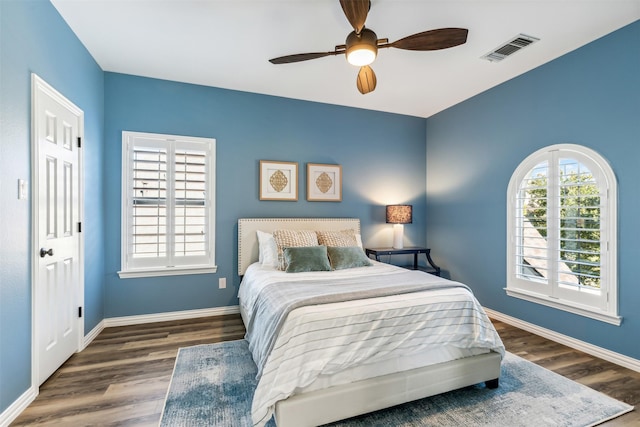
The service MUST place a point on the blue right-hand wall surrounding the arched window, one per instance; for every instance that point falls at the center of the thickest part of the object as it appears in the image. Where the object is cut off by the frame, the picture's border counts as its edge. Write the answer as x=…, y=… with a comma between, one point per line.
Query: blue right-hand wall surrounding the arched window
x=589, y=97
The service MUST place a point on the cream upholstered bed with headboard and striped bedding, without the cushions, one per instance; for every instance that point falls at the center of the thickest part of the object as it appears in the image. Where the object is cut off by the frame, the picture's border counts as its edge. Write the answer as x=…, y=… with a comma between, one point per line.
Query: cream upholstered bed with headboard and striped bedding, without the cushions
x=302, y=383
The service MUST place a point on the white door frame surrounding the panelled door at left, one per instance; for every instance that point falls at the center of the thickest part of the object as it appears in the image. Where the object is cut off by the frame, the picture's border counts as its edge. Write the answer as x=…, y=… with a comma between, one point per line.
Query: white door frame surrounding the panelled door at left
x=38, y=88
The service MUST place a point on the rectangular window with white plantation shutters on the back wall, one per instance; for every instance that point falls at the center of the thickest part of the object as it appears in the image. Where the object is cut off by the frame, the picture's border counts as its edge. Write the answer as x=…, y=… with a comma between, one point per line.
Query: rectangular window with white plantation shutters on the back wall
x=168, y=205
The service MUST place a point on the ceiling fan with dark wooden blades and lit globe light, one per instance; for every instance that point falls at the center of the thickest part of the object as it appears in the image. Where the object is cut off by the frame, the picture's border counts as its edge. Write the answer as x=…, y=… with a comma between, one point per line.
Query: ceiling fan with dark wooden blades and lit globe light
x=362, y=44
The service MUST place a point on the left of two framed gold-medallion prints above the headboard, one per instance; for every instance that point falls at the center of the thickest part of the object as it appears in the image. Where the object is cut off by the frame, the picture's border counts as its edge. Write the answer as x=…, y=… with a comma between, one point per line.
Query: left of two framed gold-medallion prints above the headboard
x=278, y=180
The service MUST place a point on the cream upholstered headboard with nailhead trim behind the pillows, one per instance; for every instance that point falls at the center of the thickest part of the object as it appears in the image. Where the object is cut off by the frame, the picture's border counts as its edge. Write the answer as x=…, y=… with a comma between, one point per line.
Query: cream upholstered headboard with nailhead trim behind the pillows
x=248, y=239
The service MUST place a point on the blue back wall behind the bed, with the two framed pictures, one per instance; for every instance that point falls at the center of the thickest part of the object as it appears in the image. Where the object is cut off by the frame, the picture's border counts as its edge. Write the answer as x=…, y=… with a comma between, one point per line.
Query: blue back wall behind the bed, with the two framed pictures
x=382, y=157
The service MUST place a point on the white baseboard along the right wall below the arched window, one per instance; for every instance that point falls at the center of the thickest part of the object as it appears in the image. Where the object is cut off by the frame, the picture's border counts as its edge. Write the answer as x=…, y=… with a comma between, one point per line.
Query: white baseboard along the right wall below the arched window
x=594, y=350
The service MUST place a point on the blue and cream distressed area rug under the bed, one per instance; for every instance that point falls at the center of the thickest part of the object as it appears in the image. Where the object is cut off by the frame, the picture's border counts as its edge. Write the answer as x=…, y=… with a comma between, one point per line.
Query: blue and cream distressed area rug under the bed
x=213, y=384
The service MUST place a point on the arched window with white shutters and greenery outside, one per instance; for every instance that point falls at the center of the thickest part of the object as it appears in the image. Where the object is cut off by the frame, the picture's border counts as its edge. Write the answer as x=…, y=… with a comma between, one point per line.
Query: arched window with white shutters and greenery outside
x=561, y=232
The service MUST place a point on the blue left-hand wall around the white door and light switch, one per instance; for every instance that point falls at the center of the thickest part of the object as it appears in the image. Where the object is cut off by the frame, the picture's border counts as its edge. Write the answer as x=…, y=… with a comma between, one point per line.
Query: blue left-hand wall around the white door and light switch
x=34, y=38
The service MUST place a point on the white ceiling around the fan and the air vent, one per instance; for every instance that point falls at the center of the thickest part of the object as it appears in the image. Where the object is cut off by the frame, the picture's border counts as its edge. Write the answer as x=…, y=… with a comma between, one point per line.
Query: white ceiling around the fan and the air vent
x=227, y=44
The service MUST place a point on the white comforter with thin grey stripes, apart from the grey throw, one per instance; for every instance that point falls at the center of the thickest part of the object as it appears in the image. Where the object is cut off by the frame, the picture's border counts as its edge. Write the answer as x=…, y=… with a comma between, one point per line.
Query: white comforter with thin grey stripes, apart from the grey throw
x=321, y=340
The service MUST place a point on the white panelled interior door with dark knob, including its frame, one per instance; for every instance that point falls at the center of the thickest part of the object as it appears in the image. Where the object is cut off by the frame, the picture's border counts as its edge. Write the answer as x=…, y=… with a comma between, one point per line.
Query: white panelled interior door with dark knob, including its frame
x=57, y=127
